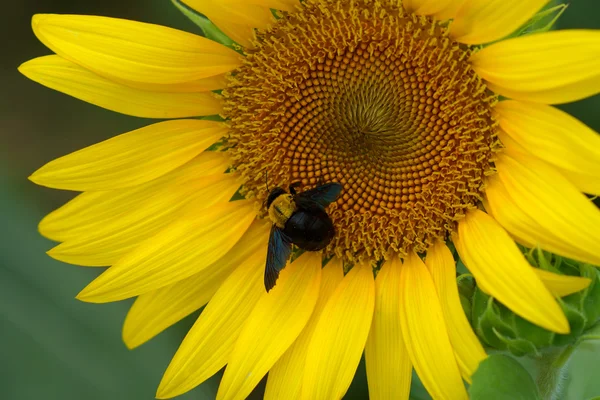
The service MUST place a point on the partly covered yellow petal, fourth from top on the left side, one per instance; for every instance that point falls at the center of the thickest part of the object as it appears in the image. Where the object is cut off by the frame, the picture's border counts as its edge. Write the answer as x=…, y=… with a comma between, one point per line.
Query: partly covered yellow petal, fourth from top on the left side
x=90, y=210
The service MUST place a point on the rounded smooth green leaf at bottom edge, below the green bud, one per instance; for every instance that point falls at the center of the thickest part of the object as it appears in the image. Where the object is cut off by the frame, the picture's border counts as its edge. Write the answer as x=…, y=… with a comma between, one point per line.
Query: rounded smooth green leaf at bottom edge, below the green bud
x=500, y=377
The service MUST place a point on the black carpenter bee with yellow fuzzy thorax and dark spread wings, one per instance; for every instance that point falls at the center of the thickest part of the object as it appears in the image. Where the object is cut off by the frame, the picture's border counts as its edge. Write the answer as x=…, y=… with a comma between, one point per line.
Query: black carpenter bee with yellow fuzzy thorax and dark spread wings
x=300, y=219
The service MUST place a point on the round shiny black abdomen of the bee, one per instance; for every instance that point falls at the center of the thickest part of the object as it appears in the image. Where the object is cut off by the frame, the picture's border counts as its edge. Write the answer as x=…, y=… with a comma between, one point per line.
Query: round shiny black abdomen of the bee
x=310, y=230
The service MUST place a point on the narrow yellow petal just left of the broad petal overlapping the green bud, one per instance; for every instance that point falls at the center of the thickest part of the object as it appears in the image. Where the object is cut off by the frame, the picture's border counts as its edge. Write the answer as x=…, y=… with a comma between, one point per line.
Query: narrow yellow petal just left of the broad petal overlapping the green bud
x=467, y=348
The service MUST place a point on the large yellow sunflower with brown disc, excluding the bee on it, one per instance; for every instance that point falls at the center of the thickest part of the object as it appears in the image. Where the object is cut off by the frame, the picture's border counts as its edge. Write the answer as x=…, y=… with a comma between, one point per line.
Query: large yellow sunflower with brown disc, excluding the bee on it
x=438, y=127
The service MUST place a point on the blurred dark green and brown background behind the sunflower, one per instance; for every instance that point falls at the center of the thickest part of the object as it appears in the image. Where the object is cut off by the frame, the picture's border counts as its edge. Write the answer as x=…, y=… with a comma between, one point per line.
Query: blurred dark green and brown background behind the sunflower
x=54, y=347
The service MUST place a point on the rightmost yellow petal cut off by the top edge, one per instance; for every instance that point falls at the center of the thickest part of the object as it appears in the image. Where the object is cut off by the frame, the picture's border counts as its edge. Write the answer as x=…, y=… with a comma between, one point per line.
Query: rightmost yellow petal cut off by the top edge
x=484, y=21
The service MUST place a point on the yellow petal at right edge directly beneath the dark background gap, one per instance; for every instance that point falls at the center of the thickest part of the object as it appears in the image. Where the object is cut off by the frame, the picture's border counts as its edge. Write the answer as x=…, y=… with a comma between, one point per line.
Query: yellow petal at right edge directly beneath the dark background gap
x=555, y=137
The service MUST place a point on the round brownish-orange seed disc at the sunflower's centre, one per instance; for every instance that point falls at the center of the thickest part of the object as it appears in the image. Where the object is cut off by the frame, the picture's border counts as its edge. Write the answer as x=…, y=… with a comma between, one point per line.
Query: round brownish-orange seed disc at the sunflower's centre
x=381, y=101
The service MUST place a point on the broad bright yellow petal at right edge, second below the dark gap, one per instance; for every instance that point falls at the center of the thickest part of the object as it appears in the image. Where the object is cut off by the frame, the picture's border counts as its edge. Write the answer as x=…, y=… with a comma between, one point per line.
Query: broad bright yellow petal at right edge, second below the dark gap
x=557, y=207
